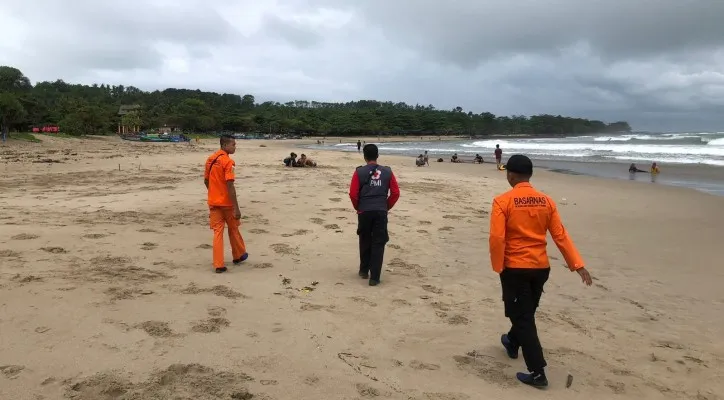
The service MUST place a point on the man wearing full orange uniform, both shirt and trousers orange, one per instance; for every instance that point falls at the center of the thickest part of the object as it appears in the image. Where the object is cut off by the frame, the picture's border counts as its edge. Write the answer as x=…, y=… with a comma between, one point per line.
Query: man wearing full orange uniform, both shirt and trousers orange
x=223, y=206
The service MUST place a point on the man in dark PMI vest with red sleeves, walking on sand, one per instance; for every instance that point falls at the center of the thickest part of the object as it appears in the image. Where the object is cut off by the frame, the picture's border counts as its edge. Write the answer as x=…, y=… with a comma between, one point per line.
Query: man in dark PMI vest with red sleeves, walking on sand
x=368, y=191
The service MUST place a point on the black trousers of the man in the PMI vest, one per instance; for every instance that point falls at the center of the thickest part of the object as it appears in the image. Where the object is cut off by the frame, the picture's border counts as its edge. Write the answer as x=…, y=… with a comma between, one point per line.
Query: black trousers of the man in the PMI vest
x=373, y=236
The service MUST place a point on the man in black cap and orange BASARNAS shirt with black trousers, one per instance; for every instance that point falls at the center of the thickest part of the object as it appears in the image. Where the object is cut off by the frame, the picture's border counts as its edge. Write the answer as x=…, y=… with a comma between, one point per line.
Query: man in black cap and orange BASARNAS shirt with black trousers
x=519, y=222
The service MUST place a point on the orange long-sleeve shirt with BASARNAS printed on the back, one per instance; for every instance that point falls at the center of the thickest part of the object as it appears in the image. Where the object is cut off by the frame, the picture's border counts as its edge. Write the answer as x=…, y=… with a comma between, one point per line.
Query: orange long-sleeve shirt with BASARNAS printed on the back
x=519, y=223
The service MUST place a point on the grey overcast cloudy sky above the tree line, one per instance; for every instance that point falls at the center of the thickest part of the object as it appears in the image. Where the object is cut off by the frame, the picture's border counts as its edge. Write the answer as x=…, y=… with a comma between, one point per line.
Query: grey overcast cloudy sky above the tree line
x=658, y=64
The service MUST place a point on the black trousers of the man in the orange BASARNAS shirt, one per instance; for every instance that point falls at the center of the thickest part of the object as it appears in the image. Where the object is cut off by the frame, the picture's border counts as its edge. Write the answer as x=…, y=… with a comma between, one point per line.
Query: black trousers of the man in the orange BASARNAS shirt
x=522, y=289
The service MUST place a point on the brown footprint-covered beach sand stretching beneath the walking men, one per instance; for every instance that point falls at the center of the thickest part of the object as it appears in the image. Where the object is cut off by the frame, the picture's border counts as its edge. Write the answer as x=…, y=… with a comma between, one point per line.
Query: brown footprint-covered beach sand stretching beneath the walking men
x=107, y=290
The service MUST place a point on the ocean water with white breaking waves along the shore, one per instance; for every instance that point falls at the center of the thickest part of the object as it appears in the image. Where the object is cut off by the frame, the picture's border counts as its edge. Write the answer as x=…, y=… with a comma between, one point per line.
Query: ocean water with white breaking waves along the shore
x=599, y=155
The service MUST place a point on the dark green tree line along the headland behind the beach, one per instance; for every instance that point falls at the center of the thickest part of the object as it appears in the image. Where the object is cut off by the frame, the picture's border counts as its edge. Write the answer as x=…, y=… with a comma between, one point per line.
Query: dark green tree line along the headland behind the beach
x=94, y=109
